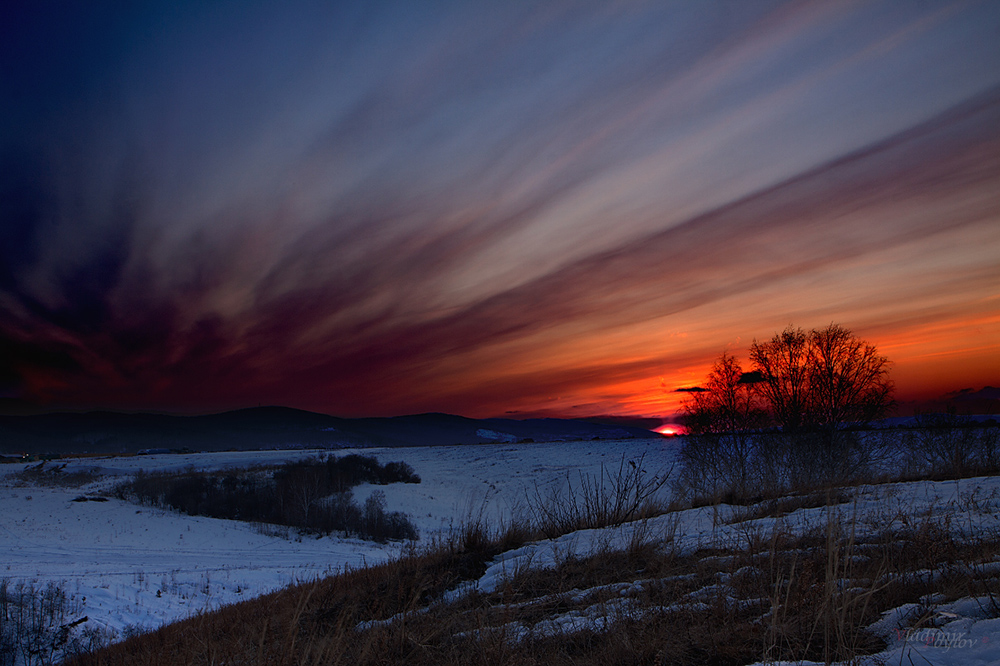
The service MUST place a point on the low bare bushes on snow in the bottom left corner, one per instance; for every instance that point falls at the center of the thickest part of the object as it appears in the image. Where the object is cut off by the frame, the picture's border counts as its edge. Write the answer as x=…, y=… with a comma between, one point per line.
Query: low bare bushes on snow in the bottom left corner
x=38, y=625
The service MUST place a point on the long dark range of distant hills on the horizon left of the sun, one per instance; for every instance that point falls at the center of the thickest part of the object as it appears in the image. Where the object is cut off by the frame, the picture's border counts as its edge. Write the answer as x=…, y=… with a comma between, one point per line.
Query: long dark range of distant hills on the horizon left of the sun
x=269, y=427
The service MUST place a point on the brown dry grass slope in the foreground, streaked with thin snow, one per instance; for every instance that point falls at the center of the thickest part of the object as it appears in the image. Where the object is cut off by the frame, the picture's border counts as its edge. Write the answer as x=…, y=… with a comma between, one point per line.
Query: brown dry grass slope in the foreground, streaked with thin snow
x=772, y=595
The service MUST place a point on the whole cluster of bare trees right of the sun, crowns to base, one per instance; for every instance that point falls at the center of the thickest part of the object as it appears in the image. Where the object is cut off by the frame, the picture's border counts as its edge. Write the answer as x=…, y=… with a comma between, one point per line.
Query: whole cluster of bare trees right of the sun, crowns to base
x=790, y=422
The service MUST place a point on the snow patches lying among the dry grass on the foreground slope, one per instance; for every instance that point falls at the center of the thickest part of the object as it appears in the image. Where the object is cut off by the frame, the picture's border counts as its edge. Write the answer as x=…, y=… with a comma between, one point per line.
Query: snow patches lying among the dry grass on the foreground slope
x=967, y=635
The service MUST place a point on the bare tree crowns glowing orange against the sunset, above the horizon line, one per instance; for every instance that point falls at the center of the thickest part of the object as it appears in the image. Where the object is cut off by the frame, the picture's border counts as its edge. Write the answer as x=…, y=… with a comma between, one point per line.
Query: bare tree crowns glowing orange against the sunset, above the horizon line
x=821, y=380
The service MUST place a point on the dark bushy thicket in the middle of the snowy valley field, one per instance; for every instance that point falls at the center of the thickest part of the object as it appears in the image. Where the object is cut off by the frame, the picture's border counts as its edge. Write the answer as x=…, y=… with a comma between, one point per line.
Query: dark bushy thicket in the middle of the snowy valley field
x=313, y=495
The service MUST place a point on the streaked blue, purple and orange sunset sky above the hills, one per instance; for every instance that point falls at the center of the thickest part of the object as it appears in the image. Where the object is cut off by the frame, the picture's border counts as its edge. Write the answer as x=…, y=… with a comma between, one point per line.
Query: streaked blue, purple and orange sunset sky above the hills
x=499, y=208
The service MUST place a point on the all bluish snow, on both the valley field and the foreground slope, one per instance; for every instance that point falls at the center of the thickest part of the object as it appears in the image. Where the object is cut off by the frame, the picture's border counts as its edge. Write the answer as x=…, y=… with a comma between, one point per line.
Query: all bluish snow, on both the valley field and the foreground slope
x=130, y=566
